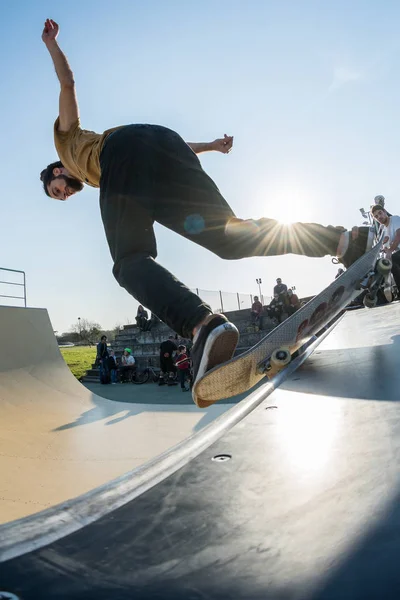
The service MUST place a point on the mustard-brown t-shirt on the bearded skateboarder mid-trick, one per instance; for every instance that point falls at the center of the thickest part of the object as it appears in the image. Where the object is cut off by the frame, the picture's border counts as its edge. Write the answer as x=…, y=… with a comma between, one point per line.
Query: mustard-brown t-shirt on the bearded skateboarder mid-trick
x=79, y=151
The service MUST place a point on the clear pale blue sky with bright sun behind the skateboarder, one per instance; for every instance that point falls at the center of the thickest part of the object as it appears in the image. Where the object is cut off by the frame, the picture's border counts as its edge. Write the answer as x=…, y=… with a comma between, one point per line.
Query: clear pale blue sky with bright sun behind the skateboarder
x=310, y=90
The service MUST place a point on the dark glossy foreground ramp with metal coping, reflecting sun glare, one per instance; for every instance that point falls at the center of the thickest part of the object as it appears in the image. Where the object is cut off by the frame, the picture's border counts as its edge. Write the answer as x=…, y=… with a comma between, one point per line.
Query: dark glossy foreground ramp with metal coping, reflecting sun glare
x=299, y=498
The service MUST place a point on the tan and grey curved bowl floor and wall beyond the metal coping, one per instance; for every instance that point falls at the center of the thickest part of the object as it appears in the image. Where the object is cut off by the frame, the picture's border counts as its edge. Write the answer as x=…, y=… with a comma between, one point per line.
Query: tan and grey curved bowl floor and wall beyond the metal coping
x=57, y=439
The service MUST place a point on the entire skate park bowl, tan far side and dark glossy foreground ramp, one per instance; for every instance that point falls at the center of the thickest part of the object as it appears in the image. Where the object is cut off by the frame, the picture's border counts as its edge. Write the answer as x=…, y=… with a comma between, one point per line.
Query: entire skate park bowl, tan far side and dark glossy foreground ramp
x=291, y=493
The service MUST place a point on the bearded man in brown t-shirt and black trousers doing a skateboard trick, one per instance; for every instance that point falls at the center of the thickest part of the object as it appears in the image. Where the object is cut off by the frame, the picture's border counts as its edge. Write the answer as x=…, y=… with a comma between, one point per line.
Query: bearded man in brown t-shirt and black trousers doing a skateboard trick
x=147, y=173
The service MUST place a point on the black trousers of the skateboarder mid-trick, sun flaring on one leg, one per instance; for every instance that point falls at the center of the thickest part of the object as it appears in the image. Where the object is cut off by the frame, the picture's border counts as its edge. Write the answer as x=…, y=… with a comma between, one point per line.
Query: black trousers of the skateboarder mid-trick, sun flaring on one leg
x=148, y=174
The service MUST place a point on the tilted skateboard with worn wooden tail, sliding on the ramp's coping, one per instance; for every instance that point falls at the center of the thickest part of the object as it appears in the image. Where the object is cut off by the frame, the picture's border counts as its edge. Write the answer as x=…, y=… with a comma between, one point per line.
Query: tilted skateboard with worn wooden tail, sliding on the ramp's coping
x=274, y=351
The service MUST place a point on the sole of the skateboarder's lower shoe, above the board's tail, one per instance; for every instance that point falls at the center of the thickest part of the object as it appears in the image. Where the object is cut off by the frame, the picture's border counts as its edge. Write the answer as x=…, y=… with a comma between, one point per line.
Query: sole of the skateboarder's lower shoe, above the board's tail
x=219, y=348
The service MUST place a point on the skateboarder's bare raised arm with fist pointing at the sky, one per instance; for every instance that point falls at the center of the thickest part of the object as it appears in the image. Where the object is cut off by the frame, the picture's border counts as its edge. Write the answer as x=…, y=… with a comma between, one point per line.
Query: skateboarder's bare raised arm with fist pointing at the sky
x=69, y=111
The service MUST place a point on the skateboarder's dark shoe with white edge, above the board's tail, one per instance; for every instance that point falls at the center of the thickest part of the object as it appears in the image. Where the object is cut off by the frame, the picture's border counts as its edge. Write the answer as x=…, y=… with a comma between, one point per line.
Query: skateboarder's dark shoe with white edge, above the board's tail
x=213, y=344
